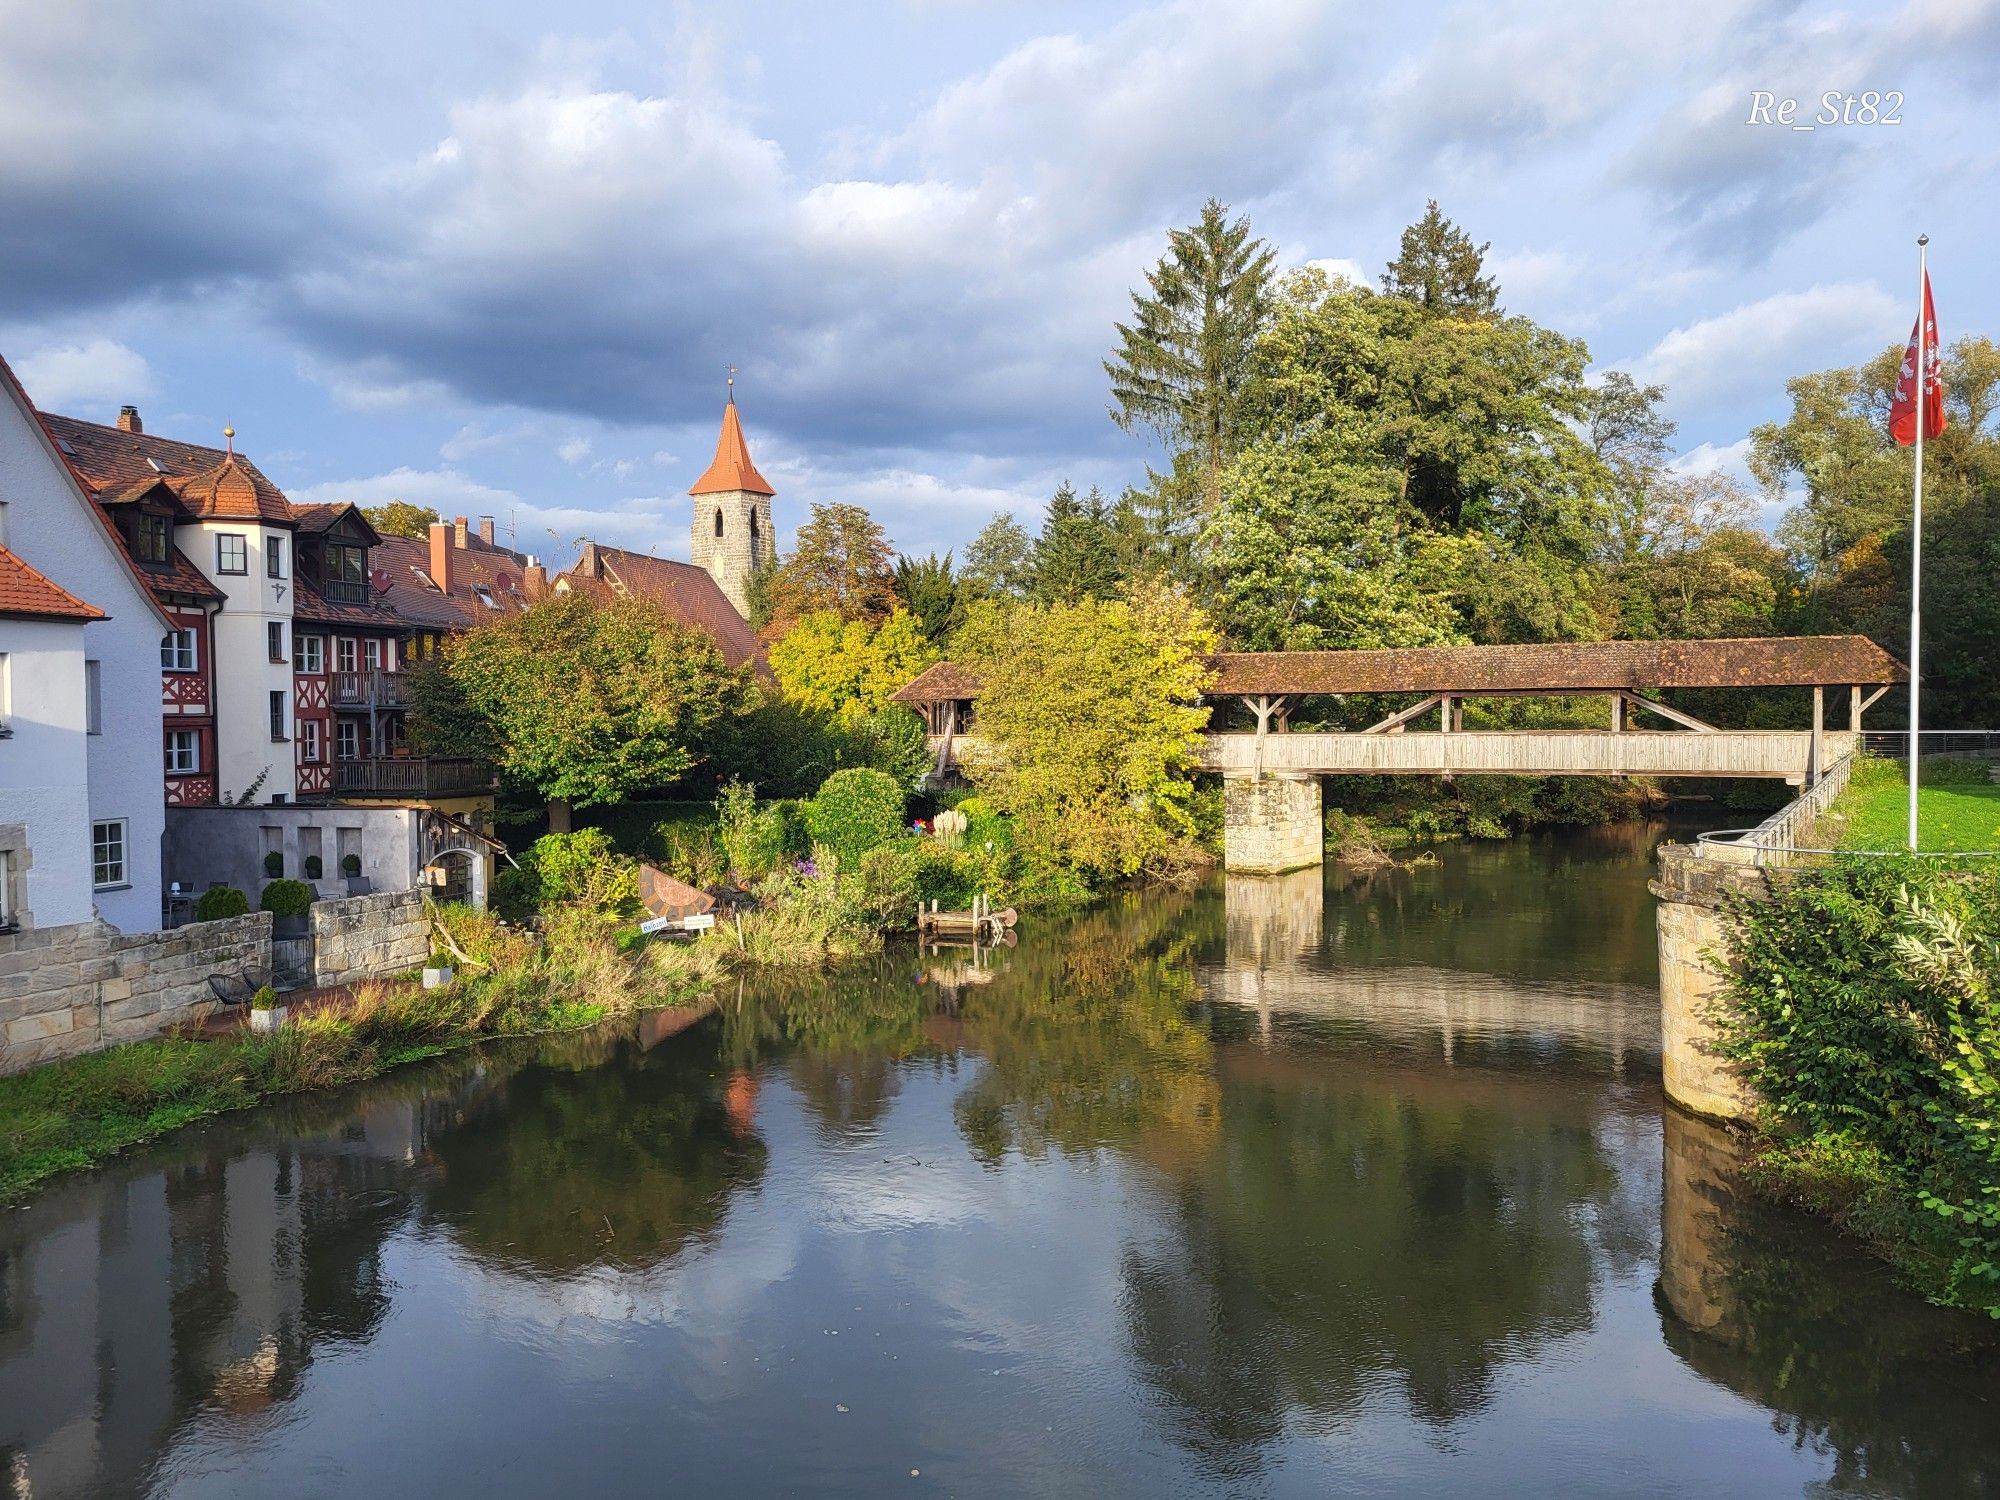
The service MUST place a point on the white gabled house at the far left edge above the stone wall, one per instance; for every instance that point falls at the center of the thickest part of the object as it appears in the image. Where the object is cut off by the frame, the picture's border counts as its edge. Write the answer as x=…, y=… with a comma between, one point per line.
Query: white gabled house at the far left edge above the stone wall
x=81, y=807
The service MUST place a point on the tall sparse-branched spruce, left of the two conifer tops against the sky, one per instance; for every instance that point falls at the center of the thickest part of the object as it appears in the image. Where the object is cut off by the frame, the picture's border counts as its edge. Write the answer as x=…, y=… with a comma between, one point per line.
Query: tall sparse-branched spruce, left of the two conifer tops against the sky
x=1183, y=363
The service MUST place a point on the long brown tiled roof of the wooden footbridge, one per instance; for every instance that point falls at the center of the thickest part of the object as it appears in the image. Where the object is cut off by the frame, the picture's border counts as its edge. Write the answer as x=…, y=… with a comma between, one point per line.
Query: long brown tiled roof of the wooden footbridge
x=1551, y=669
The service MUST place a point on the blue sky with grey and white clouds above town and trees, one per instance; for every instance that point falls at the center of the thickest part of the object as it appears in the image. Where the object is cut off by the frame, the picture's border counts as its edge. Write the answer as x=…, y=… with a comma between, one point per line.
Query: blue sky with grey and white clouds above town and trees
x=499, y=257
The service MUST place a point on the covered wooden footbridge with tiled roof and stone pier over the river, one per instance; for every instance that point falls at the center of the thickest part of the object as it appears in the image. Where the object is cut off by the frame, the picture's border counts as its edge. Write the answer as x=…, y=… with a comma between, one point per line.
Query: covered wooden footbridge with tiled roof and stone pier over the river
x=1271, y=773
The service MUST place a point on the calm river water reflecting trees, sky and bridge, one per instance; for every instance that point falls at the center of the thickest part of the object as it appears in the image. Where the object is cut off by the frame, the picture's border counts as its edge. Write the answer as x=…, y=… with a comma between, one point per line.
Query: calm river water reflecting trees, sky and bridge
x=1285, y=1187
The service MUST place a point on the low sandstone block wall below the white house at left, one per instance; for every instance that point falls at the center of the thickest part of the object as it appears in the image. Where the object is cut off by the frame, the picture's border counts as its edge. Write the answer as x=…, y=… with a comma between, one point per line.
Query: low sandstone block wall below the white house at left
x=85, y=987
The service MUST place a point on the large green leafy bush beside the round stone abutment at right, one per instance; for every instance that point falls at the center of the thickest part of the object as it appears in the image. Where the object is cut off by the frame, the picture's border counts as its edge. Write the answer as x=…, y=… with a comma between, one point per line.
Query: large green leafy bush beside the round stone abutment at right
x=1861, y=1007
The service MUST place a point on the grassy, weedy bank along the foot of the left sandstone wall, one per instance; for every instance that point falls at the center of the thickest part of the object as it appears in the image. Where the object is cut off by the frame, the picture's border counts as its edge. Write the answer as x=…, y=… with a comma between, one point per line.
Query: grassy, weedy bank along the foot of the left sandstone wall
x=79, y=1113
